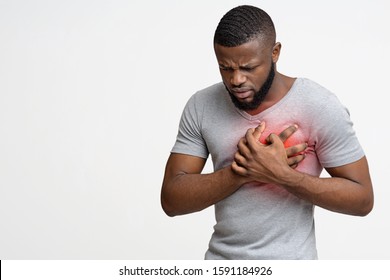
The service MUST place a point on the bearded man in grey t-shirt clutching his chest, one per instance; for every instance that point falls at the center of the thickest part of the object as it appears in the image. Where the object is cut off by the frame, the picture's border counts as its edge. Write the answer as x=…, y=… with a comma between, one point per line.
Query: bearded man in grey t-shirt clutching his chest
x=265, y=185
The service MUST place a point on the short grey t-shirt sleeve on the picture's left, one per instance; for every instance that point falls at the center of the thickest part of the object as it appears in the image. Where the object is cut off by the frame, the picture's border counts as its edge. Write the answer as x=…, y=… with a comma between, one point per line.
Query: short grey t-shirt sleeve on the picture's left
x=189, y=139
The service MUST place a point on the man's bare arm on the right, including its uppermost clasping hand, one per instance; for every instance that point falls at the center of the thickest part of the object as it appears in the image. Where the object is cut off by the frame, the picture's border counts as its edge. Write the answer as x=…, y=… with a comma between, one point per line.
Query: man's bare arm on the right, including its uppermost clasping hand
x=349, y=191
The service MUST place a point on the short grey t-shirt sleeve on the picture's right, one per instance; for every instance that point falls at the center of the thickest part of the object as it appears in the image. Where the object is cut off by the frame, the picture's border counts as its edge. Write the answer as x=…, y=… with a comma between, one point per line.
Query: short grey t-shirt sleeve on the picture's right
x=337, y=143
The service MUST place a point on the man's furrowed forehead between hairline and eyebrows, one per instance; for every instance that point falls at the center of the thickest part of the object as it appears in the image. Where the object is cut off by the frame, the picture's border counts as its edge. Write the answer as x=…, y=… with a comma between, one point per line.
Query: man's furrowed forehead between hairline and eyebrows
x=252, y=51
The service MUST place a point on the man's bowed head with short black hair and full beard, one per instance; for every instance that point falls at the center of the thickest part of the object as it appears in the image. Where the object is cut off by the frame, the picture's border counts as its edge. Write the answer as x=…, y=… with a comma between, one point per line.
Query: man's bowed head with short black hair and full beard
x=246, y=51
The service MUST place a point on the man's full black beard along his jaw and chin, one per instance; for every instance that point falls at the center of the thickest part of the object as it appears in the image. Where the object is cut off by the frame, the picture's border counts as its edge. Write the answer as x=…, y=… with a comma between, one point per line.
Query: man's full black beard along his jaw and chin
x=258, y=97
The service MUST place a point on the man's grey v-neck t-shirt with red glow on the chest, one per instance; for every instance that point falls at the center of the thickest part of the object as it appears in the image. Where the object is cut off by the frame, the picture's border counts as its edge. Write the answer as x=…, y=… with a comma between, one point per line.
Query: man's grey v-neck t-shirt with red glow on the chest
x=264, y=221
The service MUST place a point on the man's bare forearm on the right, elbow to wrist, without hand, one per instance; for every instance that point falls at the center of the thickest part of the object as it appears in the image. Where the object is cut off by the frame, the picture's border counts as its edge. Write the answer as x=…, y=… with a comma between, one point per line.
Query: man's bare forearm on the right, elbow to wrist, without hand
x=335, y=194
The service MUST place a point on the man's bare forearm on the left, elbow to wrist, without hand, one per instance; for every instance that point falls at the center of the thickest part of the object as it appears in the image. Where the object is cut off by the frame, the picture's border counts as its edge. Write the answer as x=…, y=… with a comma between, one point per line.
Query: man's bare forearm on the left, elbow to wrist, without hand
x=187, y=193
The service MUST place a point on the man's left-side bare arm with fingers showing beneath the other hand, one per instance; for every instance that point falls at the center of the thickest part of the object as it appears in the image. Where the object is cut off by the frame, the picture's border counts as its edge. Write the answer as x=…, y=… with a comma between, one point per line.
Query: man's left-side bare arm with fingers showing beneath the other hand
x=185, y=190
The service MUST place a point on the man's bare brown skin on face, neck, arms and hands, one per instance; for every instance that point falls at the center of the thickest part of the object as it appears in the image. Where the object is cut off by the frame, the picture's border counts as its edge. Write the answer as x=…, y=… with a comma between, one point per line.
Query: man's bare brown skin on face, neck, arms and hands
x=186, y=190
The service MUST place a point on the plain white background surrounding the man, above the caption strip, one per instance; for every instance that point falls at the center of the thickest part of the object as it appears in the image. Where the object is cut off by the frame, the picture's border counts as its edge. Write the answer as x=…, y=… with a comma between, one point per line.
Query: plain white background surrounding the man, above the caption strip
x=91, y=94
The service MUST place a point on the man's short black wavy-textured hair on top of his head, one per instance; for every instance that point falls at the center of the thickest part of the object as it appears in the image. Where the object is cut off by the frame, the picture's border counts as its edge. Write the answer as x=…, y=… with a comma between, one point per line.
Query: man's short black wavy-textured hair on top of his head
x=243, y=24
